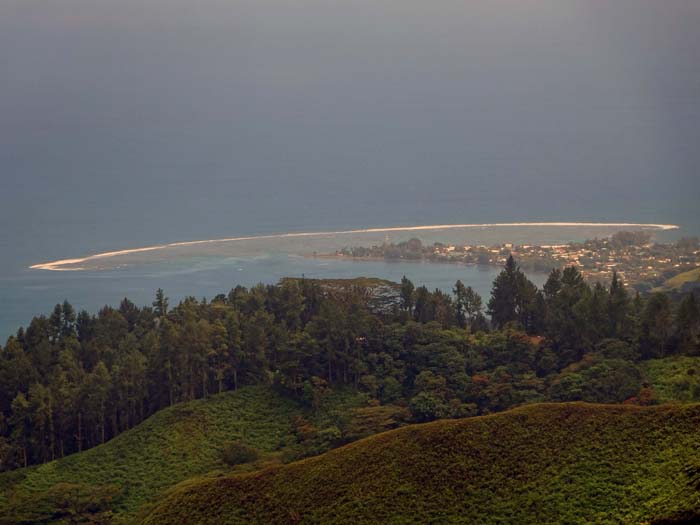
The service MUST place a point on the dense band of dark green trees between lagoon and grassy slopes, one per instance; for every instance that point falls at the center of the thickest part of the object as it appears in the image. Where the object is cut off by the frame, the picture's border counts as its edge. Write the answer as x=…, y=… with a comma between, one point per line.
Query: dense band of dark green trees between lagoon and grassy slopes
x=73, y=380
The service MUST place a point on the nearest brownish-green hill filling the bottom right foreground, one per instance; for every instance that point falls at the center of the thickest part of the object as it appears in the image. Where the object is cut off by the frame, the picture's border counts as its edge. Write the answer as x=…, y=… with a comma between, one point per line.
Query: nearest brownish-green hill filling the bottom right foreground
x=547, y=463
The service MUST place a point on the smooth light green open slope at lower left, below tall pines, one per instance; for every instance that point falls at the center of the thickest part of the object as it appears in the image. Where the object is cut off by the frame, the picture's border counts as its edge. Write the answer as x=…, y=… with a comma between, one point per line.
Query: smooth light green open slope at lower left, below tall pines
x=174, y=444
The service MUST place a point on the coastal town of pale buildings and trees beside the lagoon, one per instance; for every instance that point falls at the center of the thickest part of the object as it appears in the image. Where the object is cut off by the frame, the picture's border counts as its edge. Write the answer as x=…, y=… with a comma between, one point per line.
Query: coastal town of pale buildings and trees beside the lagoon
x=642, y=263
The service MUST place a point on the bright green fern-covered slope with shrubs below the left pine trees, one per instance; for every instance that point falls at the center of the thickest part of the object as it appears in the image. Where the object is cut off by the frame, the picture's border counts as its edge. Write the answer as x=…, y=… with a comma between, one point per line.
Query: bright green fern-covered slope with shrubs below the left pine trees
x=173, y=445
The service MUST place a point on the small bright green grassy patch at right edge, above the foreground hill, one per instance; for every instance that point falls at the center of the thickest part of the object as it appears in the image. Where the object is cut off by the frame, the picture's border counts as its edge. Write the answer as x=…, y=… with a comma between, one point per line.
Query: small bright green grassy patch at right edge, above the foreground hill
x=674, y=379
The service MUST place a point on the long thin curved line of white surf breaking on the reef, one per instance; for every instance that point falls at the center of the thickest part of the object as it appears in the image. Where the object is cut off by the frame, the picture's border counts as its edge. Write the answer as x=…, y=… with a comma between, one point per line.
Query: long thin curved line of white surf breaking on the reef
x=73, y=264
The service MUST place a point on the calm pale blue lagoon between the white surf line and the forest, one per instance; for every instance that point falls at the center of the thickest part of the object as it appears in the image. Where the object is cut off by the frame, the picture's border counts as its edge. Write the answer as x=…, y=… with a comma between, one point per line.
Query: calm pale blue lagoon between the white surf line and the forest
x=207, y=268
